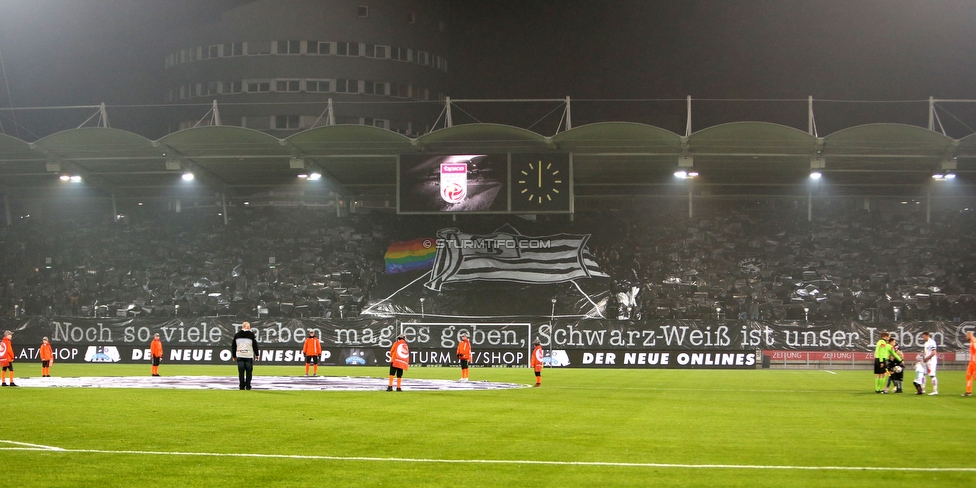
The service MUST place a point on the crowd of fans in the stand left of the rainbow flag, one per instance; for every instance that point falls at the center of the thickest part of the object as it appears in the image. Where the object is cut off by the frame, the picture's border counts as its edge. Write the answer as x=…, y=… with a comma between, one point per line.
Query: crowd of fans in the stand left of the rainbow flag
x=292, y=262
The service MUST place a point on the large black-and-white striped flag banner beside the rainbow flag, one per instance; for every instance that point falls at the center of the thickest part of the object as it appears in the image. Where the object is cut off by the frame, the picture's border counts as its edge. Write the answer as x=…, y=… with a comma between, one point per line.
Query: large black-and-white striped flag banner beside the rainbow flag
x=507, y=255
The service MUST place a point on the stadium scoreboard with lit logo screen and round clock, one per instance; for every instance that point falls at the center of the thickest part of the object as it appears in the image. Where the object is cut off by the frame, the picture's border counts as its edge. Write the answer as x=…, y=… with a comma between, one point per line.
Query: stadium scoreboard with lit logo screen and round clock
x=497, y=183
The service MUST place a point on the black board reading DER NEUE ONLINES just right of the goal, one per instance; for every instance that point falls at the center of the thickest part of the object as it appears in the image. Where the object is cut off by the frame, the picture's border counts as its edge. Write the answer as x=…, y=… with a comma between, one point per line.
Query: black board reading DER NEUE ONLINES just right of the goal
x=651, y=359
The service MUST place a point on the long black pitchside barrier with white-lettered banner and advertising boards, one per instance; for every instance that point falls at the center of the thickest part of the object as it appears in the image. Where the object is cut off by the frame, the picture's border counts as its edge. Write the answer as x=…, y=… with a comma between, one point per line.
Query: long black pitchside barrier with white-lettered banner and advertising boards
x=495, y=343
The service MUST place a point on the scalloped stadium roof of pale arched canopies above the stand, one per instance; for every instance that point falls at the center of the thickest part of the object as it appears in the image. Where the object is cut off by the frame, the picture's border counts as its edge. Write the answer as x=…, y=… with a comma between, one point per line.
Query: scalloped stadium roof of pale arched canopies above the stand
x=610, y=158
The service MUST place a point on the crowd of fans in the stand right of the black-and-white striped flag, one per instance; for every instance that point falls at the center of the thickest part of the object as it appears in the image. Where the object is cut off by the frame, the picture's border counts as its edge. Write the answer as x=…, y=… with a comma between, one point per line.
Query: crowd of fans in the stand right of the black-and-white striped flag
x=765, y=262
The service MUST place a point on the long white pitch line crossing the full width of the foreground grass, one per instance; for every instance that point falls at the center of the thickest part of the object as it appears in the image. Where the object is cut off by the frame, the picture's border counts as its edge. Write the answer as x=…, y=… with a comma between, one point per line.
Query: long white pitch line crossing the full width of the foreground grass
x=495, y=461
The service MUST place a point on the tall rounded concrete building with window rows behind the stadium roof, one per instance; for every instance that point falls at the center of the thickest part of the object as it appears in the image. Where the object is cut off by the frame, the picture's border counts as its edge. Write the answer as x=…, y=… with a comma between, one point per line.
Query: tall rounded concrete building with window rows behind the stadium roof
x=274, y=65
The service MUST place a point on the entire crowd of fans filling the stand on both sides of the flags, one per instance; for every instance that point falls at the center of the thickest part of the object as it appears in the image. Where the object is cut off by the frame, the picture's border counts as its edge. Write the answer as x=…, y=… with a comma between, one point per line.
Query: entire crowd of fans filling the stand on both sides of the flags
x=746, y=261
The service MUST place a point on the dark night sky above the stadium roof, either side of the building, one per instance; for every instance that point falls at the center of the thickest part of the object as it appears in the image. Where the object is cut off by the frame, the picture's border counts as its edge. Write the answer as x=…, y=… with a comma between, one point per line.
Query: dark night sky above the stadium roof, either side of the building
x=59, y=52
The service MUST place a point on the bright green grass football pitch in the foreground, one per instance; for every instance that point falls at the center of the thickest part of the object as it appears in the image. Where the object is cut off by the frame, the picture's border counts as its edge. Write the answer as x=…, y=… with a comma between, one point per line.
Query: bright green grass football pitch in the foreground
x=752, y=418
